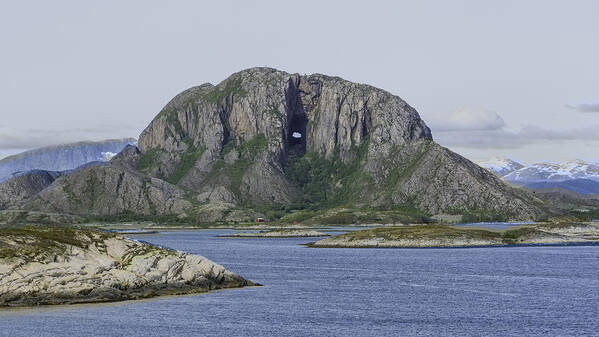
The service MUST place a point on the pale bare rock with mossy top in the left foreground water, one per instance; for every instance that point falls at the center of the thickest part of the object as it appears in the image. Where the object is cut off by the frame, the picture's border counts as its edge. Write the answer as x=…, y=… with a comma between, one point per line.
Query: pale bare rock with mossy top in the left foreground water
x=58, y=266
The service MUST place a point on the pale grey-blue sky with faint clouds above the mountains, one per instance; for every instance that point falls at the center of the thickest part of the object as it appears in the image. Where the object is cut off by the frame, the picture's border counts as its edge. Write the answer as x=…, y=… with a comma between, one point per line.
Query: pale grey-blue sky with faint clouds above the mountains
x=516, y=79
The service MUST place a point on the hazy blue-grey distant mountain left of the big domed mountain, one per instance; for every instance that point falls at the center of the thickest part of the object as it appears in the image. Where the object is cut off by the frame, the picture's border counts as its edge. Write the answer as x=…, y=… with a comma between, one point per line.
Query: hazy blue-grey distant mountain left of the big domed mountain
x=61, y=157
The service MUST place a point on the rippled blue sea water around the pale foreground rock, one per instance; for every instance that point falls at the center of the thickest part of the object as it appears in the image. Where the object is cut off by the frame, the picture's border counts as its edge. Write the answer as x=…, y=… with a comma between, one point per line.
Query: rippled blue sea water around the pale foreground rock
x=502, y=291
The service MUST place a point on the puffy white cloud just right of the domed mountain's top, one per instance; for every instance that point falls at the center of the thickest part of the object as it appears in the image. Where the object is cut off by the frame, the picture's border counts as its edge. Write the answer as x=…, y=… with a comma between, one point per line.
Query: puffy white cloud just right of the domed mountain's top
x=467, y=119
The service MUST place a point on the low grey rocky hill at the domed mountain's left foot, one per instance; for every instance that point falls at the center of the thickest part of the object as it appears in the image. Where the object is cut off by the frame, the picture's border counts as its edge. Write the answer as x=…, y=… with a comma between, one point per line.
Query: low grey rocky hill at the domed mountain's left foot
x=109, y=190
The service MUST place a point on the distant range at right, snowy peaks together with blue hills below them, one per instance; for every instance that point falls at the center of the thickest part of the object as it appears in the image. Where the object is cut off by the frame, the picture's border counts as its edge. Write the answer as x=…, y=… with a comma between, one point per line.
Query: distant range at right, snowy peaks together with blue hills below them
x=577, y=175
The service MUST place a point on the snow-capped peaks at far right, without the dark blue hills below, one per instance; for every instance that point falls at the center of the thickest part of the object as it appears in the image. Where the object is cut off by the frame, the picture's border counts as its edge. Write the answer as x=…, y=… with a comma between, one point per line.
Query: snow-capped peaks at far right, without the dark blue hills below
x=576, y=169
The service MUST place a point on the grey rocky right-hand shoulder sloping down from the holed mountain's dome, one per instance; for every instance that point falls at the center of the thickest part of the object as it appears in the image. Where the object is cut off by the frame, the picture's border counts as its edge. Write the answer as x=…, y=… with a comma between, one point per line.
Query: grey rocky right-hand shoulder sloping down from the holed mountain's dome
x=435, y=179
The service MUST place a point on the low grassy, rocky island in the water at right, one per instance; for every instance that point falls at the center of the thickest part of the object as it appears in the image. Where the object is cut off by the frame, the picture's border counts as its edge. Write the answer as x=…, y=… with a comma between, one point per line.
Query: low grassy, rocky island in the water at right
x=453, y=236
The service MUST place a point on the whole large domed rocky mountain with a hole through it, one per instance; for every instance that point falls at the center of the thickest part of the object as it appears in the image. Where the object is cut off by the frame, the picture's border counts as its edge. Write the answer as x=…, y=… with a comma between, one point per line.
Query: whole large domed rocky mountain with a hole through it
x=265, y=138
